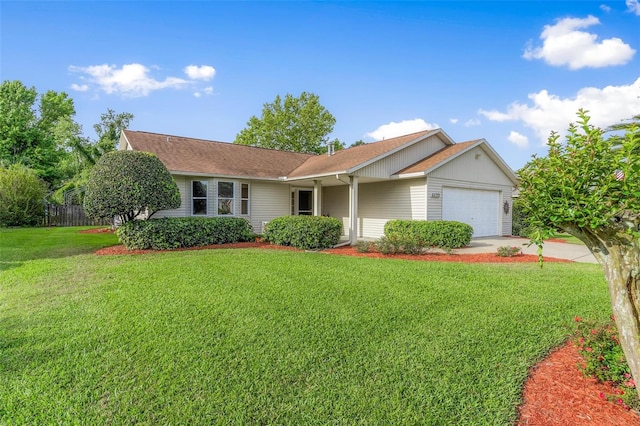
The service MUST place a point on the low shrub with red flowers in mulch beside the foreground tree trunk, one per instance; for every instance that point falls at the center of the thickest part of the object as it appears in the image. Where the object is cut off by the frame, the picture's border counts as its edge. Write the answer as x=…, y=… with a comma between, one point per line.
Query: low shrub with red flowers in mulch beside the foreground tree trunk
x=604, y=360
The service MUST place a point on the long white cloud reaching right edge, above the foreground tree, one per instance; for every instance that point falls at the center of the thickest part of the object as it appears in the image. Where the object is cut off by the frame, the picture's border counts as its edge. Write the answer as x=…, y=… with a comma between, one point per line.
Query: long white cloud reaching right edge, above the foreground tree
x=549, y=112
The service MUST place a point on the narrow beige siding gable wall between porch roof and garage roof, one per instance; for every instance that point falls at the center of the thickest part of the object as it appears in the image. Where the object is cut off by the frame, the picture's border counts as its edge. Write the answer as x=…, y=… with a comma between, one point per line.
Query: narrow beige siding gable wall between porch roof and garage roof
x=402, y=159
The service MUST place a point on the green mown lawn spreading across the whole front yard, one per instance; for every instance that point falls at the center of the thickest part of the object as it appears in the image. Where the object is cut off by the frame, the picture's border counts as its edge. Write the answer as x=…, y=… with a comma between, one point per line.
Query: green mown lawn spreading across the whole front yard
x=271, y=337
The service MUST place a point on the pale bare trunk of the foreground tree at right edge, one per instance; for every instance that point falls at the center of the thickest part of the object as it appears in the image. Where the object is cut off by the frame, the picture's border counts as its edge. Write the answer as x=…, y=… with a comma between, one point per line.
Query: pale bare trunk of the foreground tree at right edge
x=620, y=259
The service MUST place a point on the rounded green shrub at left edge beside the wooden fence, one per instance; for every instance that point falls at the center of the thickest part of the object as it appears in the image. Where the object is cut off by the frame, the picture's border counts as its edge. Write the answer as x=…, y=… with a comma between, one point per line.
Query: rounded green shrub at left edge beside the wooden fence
x=22, y=195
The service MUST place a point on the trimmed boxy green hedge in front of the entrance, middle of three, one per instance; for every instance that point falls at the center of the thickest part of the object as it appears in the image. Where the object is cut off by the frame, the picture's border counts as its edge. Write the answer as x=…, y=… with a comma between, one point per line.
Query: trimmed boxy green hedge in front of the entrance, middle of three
x=304, y=232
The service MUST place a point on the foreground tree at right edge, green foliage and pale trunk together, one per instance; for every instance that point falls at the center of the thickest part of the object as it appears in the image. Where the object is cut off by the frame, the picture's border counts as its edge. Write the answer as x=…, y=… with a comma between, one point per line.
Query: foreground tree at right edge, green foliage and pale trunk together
x=590, y=188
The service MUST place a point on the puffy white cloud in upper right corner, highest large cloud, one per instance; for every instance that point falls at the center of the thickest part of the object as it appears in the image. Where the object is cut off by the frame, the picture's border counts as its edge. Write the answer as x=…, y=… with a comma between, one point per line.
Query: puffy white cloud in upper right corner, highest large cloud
x=564, y=44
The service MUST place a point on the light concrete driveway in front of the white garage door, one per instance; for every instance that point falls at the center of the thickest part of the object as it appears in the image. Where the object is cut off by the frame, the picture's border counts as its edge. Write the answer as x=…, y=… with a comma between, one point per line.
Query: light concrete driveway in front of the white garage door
x=575, y=252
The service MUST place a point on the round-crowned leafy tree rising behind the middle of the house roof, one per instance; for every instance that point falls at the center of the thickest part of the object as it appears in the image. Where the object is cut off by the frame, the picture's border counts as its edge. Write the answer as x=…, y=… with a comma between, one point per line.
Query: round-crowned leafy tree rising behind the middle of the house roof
x=299, y=124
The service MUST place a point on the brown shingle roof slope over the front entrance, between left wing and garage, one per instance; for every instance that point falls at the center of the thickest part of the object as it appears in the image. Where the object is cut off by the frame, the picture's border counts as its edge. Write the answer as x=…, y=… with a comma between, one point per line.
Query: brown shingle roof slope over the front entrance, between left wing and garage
x=349, y=158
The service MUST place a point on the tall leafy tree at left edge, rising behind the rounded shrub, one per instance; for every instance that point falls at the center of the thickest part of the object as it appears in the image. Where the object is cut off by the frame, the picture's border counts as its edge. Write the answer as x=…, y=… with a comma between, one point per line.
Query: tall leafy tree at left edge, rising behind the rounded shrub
x=27, y=123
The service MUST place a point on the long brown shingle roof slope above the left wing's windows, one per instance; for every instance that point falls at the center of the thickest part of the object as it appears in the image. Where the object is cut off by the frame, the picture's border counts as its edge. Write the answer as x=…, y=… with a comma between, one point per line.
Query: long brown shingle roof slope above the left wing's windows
x=180, y=154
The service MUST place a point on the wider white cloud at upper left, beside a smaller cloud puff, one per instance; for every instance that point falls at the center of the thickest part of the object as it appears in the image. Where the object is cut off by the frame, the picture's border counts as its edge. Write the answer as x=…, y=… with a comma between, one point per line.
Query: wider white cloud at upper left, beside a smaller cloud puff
x=132, y=80
